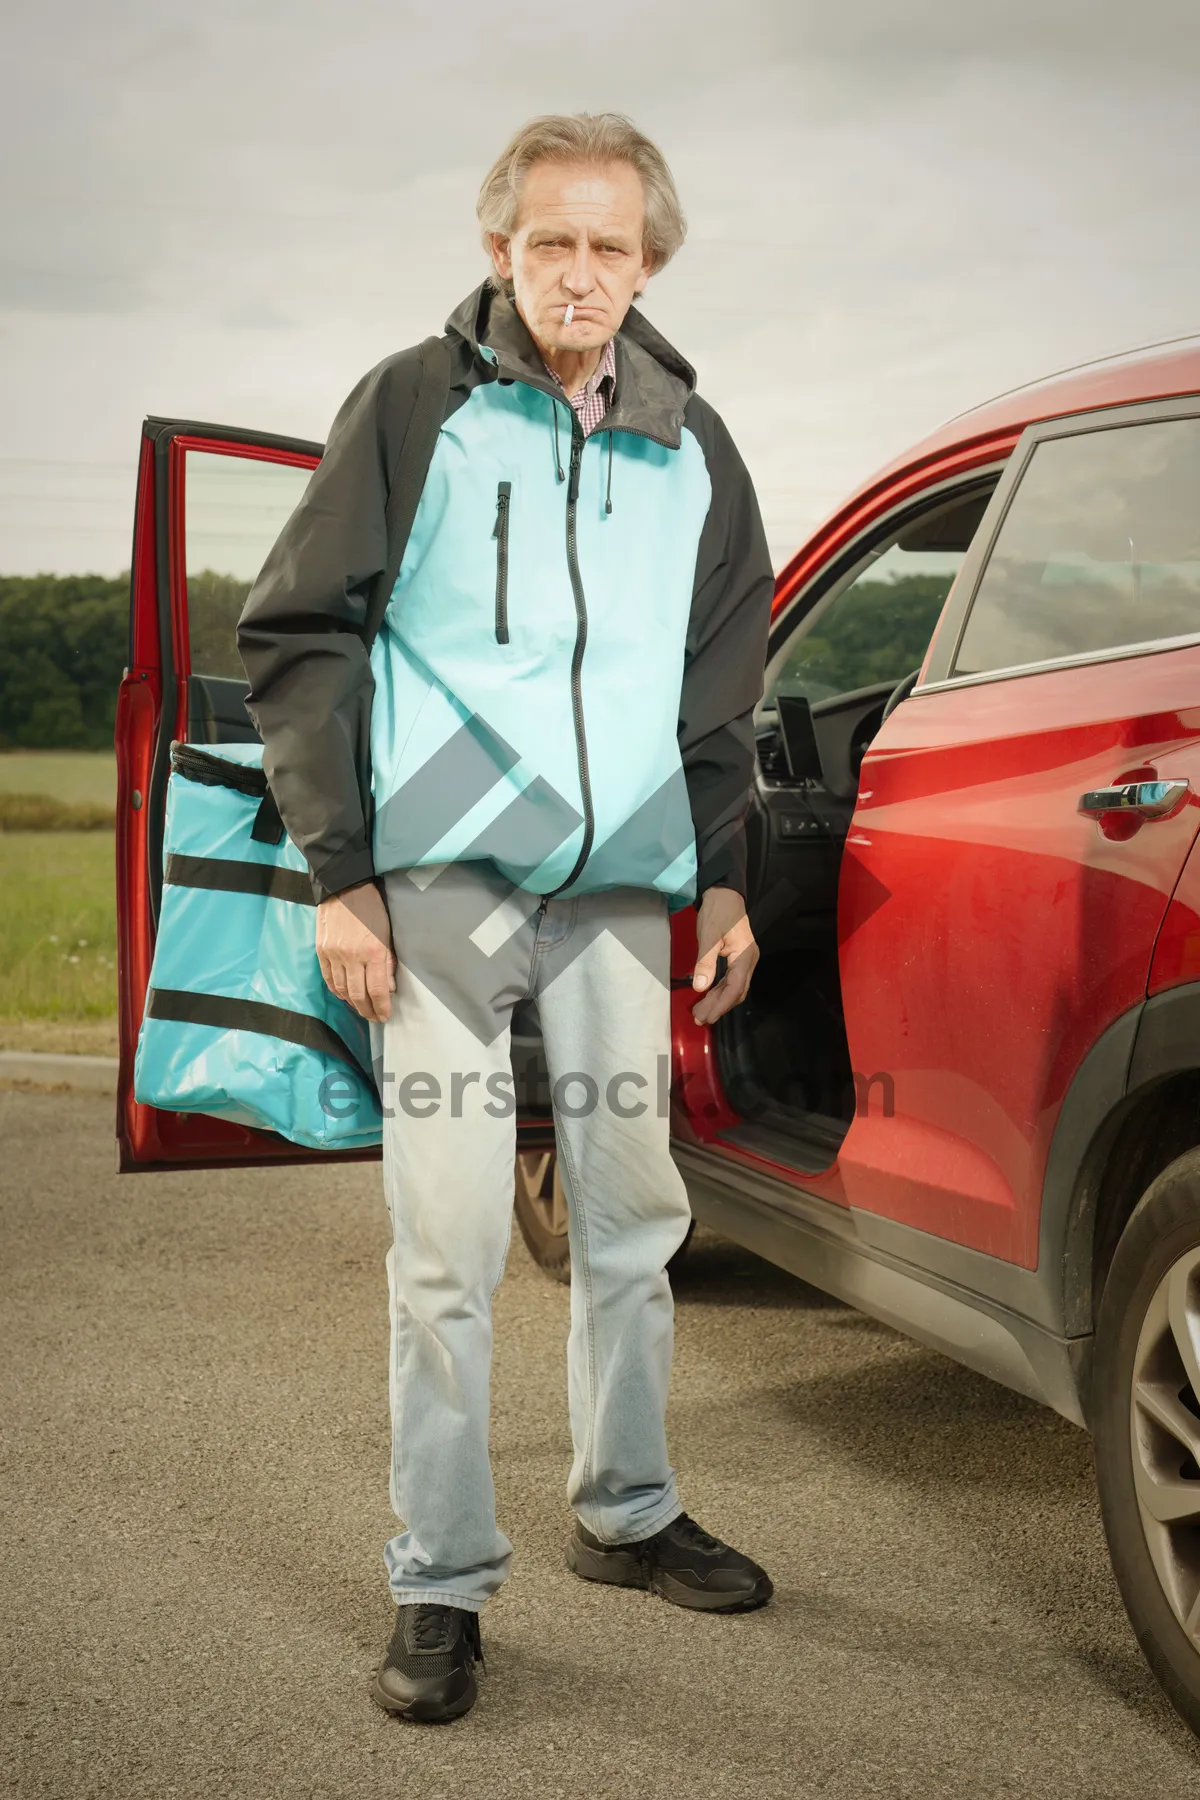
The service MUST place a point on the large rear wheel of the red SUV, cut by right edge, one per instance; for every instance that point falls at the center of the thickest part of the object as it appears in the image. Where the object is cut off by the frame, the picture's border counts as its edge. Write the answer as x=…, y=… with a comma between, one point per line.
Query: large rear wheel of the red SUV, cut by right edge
x=1147, y=1426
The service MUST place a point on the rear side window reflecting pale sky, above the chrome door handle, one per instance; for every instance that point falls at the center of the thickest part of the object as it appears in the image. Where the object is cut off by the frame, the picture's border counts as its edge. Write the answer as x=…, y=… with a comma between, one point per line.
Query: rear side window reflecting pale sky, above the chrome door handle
x=1100, y=548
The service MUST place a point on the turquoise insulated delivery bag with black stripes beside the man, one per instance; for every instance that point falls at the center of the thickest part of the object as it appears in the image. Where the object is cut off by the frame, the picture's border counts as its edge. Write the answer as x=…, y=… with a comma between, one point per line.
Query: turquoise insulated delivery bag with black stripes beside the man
x=238, y=1018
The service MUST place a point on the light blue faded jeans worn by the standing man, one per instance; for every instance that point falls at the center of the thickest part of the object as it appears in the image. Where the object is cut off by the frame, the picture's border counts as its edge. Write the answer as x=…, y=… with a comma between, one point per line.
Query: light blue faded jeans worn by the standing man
x=598, y=966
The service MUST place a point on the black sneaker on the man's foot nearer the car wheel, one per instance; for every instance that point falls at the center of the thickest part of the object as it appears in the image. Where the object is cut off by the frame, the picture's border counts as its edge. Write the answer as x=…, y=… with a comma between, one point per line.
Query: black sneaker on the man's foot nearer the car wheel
x=681, y=1563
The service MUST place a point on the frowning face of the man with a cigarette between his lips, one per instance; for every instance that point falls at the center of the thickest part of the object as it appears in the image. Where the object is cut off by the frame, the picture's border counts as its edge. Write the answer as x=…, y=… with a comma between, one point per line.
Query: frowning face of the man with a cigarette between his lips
x=578, y=240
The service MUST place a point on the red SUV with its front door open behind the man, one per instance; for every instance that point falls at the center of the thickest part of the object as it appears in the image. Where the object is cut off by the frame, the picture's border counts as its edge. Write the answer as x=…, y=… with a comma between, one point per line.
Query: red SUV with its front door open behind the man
x=965, y=1090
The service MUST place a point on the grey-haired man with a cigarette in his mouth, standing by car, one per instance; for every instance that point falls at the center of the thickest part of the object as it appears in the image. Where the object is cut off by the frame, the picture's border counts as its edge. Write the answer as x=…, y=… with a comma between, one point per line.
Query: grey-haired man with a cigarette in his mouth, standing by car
x=546, y=751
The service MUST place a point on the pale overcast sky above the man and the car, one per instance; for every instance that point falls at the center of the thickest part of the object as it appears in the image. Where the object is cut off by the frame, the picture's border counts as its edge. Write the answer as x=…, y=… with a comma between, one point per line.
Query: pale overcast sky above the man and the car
x=897, y=210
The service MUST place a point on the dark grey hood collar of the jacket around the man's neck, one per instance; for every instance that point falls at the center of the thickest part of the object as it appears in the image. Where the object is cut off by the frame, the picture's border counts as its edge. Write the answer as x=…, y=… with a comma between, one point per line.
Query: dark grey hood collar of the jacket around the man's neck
x=654, y=381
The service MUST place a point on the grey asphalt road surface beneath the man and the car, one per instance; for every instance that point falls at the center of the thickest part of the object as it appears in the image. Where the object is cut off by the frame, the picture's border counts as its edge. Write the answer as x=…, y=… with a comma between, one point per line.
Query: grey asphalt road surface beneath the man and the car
x=193, y=1506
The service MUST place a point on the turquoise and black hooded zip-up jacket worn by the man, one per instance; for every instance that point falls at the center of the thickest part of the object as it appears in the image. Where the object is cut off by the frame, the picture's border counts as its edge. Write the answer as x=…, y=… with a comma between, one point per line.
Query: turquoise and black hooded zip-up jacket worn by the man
x=569, y=661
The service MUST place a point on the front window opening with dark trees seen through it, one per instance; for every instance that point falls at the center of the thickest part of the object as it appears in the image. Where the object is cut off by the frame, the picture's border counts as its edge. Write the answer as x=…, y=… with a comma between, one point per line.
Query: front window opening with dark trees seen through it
x=875, y=624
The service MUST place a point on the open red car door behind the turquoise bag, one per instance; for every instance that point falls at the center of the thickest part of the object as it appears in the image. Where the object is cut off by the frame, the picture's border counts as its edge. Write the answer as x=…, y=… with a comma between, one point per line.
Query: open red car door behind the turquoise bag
x=210, y=507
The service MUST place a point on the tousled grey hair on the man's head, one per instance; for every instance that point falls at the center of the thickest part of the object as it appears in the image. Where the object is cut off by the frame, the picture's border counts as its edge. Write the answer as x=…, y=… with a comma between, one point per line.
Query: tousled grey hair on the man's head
x=589, y=139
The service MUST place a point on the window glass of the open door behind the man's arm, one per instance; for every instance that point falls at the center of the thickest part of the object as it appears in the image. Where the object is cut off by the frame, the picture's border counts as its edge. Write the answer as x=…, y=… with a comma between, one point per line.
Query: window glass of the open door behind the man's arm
x=235, y=510
